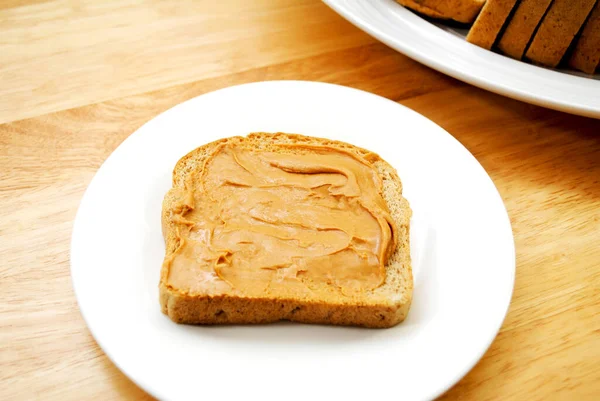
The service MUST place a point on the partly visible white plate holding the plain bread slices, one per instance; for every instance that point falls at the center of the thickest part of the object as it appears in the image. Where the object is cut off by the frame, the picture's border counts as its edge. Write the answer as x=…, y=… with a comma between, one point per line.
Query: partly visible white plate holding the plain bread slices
x=447, y=51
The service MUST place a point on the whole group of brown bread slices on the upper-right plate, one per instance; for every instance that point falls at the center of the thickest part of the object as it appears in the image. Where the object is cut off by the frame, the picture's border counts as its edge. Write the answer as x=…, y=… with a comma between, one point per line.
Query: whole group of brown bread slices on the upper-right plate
x=544, y=32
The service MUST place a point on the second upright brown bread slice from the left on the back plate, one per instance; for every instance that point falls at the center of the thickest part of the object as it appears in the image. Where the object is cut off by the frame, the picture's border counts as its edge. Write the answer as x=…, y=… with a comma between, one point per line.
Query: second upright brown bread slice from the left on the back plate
x=521, y=27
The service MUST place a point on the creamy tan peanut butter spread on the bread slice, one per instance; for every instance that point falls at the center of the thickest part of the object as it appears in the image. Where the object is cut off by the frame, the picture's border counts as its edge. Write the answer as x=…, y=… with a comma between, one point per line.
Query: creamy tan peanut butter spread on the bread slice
x=292, y=221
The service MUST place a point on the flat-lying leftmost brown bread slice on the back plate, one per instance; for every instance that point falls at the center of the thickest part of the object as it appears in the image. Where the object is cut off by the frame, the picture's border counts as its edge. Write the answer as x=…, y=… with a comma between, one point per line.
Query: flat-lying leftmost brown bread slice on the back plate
x=464, y=11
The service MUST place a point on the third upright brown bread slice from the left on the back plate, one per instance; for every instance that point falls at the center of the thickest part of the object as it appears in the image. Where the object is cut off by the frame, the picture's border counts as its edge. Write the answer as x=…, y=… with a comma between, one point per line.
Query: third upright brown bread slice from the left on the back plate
x=557, y=30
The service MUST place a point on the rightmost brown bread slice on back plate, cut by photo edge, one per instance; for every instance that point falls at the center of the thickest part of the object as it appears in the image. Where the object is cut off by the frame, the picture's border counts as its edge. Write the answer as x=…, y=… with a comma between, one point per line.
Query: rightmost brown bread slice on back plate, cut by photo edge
x=586, y=54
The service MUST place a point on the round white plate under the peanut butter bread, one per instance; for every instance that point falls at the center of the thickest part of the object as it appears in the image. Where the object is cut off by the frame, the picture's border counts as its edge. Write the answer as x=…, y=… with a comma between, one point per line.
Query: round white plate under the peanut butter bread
x=462, y=247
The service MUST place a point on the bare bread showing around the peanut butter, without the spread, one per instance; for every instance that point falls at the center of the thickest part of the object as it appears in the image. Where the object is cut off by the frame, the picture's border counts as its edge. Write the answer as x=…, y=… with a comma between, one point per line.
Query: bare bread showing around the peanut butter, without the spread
x=381, y=306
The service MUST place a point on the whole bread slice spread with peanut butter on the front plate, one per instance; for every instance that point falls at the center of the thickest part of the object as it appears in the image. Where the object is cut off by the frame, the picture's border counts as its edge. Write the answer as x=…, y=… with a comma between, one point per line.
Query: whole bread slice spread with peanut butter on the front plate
x=233, y=288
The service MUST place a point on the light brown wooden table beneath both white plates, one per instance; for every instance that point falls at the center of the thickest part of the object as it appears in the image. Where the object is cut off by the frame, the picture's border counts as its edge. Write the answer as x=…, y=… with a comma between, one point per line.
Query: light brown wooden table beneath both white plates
x=77, y=77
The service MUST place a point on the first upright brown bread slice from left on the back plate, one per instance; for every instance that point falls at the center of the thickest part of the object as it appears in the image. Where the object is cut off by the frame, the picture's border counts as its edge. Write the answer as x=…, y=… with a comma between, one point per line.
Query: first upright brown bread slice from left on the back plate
x=489, y=23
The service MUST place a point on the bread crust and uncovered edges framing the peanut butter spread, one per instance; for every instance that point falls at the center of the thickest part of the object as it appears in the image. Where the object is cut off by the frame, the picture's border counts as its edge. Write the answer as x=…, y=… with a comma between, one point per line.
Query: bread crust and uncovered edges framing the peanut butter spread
x=384, y=307
